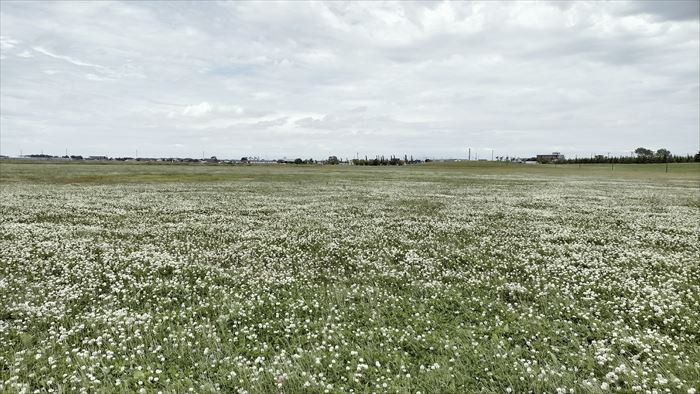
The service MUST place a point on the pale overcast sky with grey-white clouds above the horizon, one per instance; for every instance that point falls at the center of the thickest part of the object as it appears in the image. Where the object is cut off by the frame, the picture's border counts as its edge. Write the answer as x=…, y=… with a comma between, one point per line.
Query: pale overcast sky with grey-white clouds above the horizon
x=274, y=80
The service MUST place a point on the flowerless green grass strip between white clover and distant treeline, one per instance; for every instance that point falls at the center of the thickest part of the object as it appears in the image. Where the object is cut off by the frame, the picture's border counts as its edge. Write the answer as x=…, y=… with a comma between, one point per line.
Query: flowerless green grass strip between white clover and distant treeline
x=113, y=173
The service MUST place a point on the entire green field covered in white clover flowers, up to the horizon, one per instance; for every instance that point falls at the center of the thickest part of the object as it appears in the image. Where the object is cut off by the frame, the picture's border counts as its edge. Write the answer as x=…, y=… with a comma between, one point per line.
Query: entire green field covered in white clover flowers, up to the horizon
x=443, y=277
